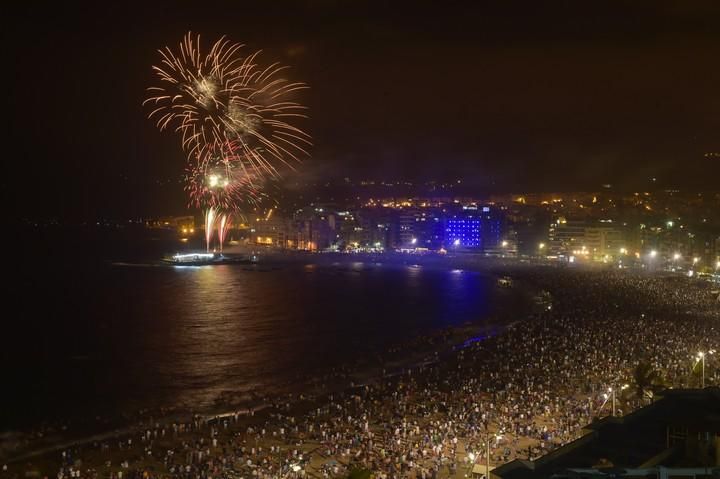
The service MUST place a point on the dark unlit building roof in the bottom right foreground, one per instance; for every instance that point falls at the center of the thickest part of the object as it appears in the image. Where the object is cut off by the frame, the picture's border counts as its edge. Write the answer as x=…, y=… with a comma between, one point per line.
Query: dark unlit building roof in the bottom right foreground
x=676, y=436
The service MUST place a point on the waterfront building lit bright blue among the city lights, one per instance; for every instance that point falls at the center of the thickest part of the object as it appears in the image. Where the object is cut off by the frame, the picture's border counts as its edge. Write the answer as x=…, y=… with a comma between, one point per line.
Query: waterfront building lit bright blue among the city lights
x=473, y=229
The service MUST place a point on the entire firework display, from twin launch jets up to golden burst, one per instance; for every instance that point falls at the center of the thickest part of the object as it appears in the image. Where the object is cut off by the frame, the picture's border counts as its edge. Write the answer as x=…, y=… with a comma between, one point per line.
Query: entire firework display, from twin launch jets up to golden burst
x=235, y=120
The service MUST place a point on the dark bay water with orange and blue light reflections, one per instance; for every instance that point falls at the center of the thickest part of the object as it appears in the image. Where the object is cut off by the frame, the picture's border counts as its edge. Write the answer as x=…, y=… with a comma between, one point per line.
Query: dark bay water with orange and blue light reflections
x=94, y=325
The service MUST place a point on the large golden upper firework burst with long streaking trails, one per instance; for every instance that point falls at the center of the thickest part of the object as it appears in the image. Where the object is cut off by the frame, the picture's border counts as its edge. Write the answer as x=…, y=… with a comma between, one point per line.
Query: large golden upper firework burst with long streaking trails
x=225, y=100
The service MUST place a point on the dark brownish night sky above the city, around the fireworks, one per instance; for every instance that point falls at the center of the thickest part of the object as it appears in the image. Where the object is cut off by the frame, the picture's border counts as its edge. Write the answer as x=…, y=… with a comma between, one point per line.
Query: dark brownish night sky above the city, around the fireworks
x=510, y=96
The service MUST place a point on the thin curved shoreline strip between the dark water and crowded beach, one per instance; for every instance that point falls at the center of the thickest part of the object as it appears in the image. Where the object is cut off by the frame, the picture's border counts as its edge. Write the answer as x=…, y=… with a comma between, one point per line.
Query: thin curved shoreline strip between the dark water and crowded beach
x=341, y=378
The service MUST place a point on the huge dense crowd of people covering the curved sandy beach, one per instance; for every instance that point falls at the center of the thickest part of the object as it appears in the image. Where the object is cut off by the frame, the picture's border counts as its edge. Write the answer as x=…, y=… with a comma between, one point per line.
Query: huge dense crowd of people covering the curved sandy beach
x=519, y=394
